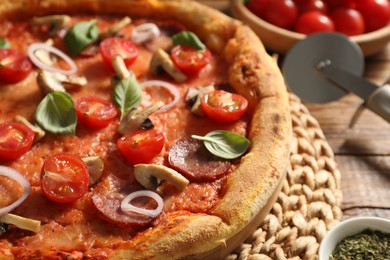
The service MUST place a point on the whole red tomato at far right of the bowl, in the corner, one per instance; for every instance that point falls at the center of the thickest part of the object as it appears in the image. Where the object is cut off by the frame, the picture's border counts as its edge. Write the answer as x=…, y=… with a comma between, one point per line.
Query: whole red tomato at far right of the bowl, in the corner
x=376, y=13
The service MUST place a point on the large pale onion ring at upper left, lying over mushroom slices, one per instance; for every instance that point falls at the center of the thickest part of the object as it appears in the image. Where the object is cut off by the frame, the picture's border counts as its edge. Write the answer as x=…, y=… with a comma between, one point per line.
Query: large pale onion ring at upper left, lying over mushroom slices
x=36, y=46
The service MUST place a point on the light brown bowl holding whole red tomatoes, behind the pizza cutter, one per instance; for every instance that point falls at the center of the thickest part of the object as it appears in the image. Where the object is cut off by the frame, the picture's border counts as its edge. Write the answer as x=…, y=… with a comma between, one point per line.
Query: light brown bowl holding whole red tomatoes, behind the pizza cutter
x=281, y=40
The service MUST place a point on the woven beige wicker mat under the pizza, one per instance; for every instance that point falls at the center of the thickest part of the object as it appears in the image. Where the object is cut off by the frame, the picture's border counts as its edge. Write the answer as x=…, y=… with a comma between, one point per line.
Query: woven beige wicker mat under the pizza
x=309, y=203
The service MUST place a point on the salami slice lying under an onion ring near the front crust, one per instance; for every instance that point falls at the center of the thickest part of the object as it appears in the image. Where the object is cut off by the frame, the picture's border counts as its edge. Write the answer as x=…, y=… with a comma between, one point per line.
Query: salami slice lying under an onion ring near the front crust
x=107, y=199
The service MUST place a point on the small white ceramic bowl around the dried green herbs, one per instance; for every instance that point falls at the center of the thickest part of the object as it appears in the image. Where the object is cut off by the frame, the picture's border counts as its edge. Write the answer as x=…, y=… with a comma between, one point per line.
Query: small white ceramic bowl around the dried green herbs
x=350, y=227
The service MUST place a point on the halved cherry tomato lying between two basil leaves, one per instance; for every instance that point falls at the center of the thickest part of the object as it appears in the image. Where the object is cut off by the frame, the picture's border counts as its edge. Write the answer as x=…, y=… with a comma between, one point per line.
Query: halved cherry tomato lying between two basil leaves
x=95, y=112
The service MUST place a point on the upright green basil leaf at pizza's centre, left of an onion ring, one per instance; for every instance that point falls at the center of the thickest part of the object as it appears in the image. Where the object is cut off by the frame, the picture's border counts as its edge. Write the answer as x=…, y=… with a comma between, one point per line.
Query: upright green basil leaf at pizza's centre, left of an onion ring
x=127, y=94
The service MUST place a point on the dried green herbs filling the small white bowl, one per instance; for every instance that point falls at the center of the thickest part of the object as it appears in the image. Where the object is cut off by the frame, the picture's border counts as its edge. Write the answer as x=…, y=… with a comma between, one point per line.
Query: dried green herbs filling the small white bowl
x=368, y=244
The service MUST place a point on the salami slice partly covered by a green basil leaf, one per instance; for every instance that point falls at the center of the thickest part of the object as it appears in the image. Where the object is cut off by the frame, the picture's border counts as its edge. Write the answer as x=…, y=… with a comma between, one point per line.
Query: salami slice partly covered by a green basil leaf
x=190, y=157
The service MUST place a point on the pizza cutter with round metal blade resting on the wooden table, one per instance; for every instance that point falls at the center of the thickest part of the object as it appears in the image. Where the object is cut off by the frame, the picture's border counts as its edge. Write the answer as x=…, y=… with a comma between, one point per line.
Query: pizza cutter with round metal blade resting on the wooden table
x=326, y=66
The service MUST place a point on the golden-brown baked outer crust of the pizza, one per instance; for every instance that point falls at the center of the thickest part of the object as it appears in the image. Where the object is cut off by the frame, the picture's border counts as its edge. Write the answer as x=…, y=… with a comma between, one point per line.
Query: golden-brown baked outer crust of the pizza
x=253, y=186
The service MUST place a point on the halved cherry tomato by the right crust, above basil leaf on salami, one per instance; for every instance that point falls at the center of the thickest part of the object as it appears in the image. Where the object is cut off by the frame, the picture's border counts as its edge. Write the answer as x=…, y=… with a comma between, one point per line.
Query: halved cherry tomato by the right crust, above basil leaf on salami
x=224, y=107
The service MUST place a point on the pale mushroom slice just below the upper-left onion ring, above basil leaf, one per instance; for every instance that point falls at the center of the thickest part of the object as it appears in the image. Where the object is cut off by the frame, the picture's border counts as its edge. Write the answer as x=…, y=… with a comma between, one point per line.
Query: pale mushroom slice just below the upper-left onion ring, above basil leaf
x=51, y=81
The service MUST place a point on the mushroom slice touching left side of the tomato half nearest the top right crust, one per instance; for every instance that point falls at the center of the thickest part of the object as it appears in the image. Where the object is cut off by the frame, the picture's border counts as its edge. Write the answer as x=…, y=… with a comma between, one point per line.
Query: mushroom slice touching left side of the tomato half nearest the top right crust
x=161, y=59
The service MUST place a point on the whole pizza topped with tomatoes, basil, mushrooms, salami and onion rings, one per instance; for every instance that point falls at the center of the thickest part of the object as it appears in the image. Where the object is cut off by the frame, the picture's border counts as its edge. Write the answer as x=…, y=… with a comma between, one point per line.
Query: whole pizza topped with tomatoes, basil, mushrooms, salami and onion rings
x=134, y=130
